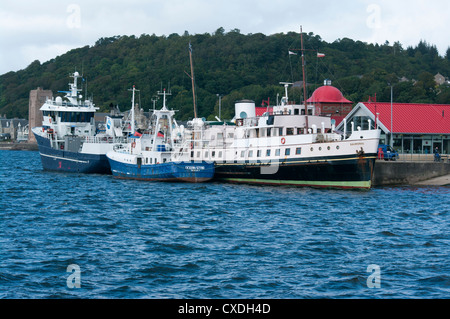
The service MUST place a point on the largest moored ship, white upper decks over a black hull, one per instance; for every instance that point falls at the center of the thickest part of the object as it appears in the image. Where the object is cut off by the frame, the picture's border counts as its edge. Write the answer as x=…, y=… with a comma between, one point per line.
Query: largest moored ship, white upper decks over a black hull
x=287, y=145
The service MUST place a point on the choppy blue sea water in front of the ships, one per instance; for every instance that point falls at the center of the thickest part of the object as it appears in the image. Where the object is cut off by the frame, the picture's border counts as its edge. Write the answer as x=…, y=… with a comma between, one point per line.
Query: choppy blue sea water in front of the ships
x=93, y=236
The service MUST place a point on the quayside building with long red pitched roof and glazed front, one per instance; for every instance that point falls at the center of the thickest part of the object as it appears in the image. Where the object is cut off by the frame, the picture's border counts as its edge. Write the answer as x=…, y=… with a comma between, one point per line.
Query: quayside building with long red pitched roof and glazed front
x=409, y=127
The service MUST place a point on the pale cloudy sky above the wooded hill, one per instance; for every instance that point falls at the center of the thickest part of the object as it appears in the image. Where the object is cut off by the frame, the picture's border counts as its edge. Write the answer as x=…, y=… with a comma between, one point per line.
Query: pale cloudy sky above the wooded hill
x=42, y=30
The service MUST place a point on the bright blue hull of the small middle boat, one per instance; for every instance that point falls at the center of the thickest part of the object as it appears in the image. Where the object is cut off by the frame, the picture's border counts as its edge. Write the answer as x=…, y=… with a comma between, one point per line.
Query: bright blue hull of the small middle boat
x=168, y=172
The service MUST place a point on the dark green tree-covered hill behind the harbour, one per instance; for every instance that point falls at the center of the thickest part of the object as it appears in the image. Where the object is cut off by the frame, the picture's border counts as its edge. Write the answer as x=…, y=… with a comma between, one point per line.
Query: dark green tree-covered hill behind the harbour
x=233, y=65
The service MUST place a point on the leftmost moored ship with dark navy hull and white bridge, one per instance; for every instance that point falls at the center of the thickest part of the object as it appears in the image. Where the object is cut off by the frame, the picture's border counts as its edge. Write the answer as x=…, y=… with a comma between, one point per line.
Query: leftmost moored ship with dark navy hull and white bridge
x=69, y=140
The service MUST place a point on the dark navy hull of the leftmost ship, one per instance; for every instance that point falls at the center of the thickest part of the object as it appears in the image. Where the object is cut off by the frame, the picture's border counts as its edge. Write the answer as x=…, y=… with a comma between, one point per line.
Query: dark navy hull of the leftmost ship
x=73, y=162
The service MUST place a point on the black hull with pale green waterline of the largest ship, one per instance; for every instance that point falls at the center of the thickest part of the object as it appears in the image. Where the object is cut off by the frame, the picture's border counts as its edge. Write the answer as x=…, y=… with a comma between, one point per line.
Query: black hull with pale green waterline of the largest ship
x=346, y=172
